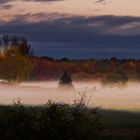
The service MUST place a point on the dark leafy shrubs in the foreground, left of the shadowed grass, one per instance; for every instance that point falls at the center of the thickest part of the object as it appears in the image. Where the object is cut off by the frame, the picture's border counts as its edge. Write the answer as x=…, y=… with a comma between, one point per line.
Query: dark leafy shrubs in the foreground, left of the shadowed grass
x=51, y=121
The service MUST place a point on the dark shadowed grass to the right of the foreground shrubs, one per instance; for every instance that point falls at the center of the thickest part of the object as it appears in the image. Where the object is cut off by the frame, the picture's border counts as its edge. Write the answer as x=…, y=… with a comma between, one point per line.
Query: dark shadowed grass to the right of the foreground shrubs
x=120, y=125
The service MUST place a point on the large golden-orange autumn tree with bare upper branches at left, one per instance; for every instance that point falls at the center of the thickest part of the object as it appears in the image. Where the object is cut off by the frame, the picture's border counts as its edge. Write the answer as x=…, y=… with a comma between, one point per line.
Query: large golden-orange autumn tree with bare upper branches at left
x=15, y=63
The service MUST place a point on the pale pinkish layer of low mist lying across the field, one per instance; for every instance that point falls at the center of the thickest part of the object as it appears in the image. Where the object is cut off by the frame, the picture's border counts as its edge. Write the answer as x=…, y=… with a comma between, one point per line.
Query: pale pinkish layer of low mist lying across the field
x=125, y=97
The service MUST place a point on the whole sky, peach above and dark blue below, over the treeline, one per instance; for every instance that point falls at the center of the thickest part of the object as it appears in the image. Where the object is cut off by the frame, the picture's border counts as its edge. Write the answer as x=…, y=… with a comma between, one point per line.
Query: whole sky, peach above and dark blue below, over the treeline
x=75, y=28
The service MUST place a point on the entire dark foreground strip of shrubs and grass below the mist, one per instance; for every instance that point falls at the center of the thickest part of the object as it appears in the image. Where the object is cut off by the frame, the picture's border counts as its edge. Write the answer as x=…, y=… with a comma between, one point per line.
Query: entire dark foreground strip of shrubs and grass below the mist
x=67, y=122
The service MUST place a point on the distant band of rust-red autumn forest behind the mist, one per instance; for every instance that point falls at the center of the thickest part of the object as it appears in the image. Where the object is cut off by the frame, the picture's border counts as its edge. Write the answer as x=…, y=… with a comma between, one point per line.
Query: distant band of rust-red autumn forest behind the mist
x=105, y=70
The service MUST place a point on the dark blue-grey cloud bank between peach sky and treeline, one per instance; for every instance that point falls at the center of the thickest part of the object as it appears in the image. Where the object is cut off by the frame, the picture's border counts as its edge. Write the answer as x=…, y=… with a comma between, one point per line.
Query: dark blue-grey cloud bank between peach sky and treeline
x=106, y=35
